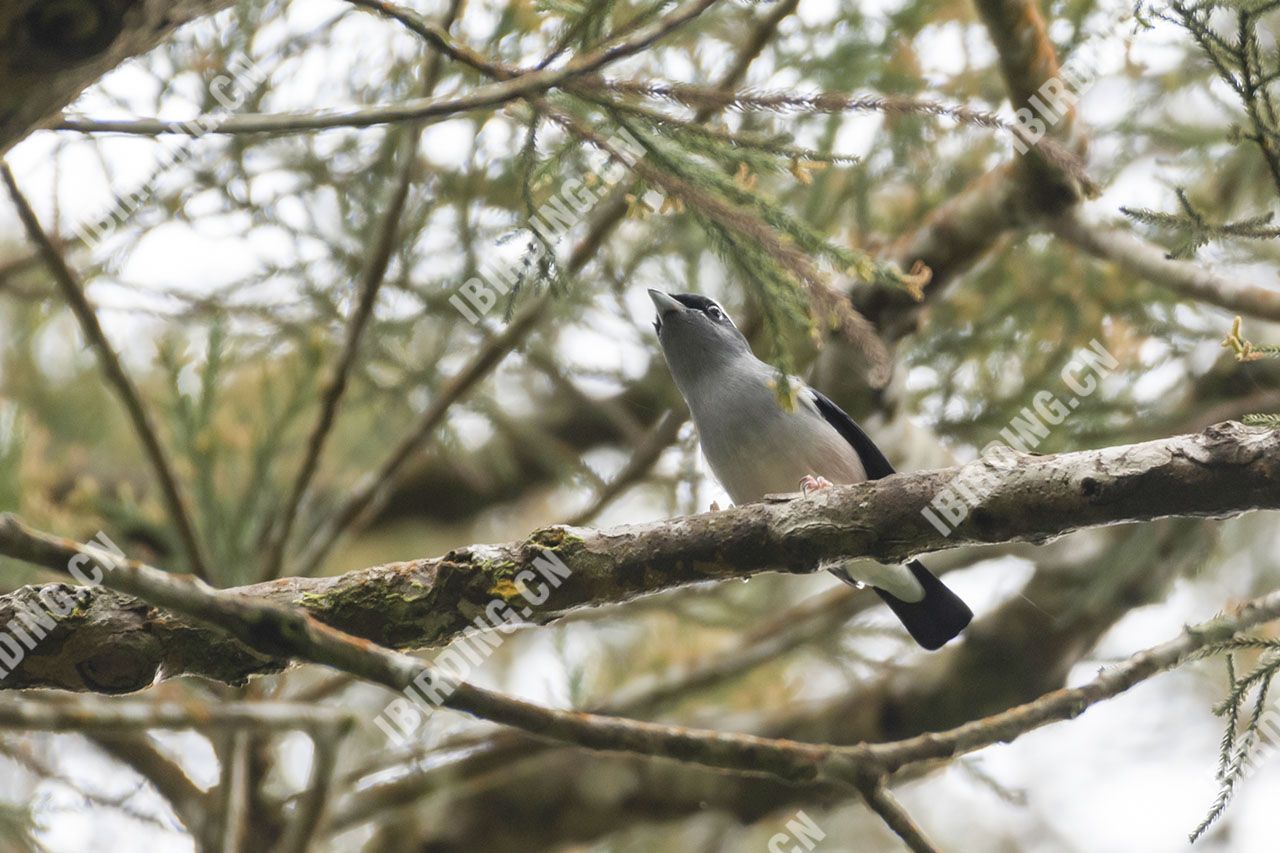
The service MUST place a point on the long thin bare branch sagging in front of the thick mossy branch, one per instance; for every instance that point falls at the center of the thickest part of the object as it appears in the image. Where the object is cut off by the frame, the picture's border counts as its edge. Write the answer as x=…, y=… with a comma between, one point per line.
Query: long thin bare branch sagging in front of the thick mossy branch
x=278, y=630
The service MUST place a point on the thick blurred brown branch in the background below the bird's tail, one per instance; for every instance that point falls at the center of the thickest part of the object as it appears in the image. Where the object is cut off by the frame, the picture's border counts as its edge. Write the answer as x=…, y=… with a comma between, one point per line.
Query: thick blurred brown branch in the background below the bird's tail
x=1021, y=650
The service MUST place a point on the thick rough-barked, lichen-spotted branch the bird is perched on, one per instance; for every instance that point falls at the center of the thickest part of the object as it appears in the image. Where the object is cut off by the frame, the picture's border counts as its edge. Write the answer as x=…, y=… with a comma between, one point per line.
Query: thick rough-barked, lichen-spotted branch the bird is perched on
x=113, y=644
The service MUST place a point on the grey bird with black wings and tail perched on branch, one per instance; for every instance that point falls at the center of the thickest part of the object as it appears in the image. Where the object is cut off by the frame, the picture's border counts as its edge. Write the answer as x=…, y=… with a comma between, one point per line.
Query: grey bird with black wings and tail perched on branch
x=756, y=446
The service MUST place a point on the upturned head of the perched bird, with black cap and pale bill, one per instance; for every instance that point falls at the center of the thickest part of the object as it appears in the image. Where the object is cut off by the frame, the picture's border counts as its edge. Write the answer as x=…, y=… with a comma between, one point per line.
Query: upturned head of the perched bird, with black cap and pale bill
x=696, y=334
